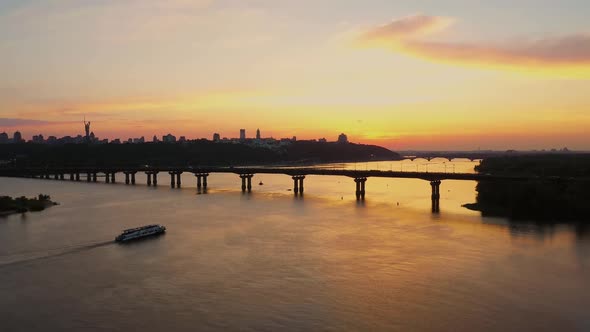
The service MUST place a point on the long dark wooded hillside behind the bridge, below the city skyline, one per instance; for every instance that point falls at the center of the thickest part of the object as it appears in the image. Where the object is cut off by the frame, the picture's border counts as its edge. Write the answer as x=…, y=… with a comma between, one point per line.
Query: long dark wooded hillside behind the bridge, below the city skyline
x=183, y=154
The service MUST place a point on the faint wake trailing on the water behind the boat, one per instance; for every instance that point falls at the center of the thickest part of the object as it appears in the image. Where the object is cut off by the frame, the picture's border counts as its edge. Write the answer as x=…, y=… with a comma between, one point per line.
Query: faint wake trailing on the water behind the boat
x=23, y=257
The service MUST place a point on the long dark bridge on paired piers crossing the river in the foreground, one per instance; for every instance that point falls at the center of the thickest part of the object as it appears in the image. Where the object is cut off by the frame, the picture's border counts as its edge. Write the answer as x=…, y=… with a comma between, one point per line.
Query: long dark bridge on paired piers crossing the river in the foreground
x=298, y=174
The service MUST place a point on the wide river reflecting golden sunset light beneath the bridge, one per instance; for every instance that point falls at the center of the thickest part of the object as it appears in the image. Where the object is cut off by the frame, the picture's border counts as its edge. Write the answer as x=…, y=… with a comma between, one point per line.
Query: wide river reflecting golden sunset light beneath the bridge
x=269, y=261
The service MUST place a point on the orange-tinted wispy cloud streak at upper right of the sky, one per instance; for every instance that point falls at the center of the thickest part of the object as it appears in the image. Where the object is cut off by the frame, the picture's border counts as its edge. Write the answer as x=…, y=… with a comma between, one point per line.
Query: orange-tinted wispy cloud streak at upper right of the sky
x=558, y=55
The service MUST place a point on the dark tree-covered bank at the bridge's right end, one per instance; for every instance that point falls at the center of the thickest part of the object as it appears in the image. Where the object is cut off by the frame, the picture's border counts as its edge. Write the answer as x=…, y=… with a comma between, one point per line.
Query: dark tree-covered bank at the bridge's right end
x=560, y=194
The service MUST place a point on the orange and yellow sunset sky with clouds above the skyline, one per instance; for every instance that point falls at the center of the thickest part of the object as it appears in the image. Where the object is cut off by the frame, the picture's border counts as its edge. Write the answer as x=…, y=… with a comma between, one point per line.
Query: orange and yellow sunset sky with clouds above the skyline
x=415, y=74
